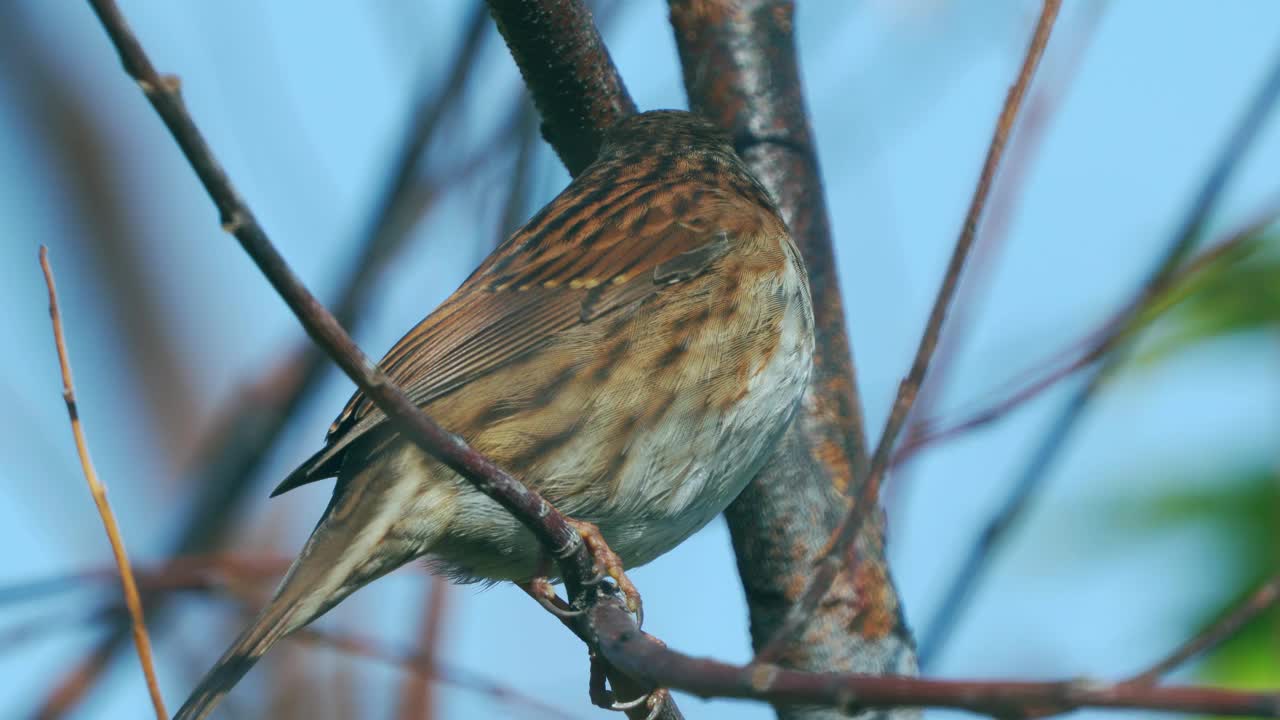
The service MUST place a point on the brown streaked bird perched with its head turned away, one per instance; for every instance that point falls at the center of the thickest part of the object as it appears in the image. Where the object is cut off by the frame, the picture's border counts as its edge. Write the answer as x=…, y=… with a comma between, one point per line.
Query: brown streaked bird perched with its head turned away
x=634, y=353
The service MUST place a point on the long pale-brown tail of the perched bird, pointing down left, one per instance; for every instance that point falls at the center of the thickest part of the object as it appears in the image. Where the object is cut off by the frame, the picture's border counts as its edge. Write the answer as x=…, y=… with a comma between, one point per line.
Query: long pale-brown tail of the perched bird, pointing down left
x=346, y=552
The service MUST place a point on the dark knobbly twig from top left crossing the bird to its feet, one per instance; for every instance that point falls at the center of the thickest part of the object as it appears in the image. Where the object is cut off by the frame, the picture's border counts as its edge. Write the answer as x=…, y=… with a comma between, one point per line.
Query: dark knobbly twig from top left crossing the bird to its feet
x=548, y=526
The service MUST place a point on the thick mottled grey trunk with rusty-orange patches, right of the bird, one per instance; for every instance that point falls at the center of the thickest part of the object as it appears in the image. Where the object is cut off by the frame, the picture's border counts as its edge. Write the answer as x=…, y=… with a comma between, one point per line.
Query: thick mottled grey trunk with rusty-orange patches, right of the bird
x=742, y=71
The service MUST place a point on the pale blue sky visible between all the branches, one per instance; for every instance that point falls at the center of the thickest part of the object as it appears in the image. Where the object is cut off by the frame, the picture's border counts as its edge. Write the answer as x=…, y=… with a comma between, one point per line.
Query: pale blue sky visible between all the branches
x=304, y=107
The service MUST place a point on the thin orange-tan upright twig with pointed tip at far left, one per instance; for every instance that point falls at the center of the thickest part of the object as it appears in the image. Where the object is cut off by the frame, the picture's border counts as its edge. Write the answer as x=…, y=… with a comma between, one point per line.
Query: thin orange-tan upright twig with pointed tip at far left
x=99, y=491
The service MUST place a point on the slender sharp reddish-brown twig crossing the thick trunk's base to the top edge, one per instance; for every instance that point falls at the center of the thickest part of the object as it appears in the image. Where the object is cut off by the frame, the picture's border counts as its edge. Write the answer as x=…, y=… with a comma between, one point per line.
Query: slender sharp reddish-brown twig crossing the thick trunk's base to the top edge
x=835, y=559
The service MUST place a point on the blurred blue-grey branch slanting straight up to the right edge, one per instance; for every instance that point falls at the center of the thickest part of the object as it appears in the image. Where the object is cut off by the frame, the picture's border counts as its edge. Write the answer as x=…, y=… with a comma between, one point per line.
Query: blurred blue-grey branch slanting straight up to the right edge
x=977, y=560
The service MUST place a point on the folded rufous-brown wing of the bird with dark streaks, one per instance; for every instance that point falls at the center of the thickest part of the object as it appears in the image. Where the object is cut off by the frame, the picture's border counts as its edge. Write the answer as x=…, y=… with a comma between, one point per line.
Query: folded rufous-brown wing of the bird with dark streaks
x=583, y=257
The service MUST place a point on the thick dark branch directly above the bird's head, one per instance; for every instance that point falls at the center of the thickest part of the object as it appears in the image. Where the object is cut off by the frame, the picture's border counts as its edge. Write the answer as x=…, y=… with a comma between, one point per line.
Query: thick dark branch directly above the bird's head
x=569, y=72
